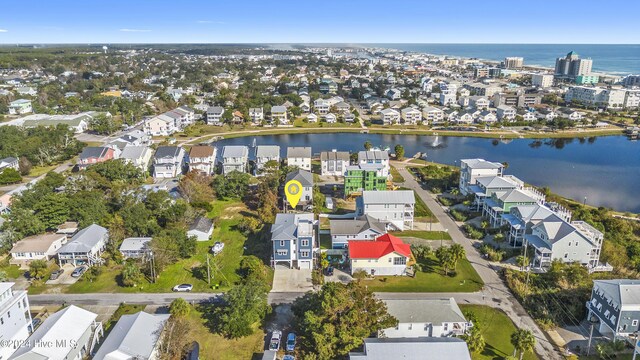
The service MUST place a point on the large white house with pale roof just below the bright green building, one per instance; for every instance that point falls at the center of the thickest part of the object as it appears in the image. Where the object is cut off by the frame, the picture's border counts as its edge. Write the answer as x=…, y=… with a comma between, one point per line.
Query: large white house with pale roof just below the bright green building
x=395, y=208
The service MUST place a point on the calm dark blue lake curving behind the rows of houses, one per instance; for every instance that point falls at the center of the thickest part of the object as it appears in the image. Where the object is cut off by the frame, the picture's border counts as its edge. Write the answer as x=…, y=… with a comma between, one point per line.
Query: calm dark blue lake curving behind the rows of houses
x=605, y=170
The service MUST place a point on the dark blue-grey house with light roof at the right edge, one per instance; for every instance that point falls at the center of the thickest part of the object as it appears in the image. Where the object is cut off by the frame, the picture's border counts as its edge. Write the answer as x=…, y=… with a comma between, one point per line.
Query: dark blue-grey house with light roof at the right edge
x=616, y=304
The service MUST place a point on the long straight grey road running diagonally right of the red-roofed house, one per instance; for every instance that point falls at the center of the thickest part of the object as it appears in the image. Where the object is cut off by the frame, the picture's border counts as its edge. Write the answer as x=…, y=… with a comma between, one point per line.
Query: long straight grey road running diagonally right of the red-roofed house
x=494, y=288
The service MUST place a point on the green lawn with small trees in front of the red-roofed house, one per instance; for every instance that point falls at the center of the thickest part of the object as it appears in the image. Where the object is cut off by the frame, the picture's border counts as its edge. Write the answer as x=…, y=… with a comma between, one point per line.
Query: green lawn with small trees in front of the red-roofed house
x=433, y=279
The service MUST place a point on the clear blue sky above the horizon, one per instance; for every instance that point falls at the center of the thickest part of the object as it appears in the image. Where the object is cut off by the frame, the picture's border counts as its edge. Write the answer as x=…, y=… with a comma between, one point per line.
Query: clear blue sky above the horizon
x=324, y=21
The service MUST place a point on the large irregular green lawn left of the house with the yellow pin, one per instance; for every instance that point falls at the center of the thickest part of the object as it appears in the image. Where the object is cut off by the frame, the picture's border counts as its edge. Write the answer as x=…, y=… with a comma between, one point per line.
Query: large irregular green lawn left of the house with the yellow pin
x=226, y=215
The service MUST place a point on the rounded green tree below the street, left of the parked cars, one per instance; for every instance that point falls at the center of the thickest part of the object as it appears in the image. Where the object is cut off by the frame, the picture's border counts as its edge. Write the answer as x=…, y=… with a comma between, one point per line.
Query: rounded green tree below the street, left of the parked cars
x=246, y=305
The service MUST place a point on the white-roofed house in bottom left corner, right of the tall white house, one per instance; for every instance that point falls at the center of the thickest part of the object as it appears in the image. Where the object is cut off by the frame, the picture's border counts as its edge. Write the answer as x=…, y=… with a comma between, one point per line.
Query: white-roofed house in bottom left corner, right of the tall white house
x=71, y=325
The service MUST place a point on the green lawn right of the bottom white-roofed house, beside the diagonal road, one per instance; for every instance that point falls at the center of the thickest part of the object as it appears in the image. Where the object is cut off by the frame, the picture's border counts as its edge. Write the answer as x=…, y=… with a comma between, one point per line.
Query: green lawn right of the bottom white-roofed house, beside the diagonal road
x=496, y=328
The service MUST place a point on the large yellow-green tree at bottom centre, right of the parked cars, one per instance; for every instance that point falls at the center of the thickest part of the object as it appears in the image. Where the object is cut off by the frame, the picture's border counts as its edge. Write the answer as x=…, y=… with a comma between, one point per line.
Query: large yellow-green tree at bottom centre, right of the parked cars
x=337, y=319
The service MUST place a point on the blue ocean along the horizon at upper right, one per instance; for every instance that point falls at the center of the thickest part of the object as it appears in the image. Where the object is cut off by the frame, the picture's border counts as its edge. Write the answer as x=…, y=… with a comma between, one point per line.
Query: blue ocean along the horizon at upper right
x=614, y=59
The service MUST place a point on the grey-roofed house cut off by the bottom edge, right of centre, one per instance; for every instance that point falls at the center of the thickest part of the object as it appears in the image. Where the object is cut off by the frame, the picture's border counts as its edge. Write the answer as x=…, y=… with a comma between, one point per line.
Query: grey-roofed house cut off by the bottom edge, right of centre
x=412, y=349
